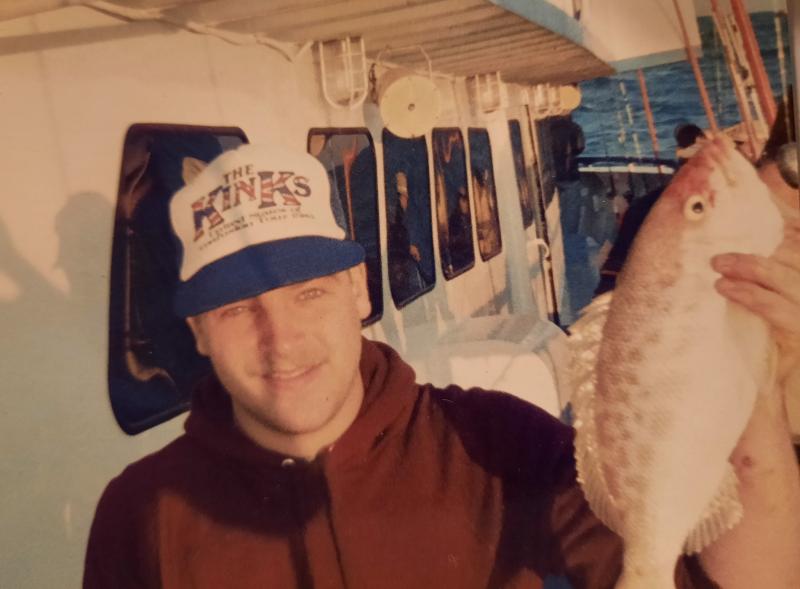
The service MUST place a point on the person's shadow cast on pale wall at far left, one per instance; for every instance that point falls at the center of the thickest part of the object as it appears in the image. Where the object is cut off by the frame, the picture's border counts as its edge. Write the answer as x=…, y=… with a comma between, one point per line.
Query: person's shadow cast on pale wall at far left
x=54, y=386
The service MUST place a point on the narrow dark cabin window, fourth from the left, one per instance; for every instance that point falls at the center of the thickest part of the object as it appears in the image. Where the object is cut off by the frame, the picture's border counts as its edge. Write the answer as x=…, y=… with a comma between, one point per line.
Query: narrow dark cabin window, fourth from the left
x=454, y=220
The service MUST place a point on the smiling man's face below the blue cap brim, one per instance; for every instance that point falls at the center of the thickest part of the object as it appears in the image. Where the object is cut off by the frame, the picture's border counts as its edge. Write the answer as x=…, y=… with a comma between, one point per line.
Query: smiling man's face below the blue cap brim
x=289, y=357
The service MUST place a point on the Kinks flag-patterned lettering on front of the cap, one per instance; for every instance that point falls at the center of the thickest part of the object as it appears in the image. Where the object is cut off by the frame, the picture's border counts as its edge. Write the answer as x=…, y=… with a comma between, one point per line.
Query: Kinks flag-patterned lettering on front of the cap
x=262, y=186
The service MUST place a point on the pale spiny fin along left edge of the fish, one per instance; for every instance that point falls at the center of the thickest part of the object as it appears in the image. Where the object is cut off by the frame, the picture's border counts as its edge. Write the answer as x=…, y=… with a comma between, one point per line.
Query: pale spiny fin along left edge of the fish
x=585, y=336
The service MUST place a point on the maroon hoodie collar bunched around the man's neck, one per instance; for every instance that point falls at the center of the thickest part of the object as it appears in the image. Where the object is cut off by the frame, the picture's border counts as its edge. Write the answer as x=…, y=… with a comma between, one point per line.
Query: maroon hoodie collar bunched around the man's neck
x=389, y=389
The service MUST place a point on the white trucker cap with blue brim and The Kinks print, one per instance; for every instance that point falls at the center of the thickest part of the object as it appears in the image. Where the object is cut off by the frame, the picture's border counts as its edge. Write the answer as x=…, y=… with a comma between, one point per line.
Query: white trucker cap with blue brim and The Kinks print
x=256, y=218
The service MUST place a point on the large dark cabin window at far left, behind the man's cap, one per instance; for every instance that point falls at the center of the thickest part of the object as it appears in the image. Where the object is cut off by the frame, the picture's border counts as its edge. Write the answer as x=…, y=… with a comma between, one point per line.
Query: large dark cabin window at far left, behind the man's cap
x=153, y=364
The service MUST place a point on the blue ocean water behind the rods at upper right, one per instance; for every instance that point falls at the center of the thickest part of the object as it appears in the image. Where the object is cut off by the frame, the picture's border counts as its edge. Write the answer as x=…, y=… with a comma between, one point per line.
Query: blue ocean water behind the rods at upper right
x=674, y=96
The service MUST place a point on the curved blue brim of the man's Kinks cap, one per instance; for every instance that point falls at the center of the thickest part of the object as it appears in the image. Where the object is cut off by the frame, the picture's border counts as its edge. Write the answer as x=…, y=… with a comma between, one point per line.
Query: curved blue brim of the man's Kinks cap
x=263, y=267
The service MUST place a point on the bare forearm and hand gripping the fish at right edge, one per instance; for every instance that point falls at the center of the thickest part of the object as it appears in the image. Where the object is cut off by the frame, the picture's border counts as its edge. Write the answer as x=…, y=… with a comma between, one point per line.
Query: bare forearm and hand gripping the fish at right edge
x=761, y=551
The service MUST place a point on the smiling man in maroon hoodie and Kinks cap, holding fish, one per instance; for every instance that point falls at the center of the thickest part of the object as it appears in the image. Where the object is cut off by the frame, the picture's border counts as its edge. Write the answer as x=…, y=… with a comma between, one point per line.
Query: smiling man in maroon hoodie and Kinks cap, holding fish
x=312, y=459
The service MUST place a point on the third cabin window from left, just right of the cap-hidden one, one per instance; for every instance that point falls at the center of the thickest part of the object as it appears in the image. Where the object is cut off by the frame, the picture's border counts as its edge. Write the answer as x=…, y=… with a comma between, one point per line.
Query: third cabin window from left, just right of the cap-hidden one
x=408, y=217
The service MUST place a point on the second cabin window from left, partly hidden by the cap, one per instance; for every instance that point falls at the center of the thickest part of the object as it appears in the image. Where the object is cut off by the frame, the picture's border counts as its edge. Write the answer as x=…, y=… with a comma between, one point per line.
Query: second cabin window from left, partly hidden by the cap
x=349, y=157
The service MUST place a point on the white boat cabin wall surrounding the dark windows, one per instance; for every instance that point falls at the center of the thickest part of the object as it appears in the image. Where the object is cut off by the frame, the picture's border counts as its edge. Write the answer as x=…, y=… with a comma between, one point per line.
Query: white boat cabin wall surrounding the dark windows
x=73, y=81
